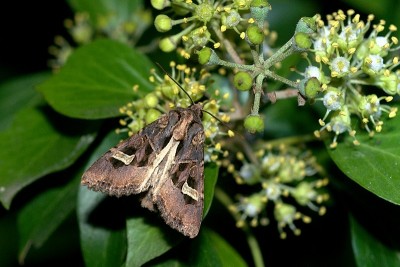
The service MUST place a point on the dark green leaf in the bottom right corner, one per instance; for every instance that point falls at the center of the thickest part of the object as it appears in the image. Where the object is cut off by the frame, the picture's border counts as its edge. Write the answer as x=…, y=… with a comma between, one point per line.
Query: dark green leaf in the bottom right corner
x=369, y=251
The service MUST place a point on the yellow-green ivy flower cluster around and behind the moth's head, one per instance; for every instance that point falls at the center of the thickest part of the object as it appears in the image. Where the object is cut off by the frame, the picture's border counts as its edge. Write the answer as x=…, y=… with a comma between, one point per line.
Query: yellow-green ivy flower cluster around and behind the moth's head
x=168, y=95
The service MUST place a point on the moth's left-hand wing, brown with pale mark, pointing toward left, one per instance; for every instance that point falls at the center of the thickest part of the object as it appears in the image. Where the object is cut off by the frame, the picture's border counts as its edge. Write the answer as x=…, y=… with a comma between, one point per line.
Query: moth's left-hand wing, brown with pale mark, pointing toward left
x=114, y=177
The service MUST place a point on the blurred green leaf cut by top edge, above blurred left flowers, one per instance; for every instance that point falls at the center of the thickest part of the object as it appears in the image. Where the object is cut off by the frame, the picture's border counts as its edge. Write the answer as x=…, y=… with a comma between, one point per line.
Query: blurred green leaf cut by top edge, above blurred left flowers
x=121, y=10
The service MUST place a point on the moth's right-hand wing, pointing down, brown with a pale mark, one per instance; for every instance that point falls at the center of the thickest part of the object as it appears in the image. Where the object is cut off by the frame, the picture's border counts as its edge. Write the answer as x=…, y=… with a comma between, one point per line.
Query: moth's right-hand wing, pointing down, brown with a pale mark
x=180, y=199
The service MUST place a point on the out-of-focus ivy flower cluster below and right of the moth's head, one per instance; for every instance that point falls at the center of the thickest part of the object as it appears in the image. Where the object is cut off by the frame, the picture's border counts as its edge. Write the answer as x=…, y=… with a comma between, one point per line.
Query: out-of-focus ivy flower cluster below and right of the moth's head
x=285, y=178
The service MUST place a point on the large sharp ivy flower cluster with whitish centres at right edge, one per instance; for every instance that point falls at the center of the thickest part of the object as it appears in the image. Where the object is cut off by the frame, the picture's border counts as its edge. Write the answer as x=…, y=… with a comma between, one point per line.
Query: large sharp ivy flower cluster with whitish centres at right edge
x=352, y=55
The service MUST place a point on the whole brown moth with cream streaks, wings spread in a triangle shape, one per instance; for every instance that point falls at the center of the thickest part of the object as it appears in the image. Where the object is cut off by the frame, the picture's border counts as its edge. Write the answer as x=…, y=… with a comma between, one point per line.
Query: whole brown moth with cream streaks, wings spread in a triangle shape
x=165, y=163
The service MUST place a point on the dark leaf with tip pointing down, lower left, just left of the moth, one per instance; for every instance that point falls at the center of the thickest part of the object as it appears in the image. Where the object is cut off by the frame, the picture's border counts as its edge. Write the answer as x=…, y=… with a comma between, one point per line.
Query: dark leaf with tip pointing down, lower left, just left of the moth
x=42, y=215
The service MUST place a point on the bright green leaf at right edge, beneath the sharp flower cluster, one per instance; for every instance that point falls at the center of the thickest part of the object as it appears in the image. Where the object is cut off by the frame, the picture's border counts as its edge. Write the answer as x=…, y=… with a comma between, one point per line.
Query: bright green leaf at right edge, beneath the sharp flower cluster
x=375, y=163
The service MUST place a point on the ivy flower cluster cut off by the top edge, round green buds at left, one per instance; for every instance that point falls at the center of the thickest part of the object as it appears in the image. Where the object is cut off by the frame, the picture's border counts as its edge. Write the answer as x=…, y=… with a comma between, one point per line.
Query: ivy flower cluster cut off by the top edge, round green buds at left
x=205, y=22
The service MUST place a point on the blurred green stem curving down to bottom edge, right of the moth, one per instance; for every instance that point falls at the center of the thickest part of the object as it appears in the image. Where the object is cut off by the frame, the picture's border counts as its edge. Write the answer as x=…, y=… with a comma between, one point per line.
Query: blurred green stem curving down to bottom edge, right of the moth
x=251, y=240
